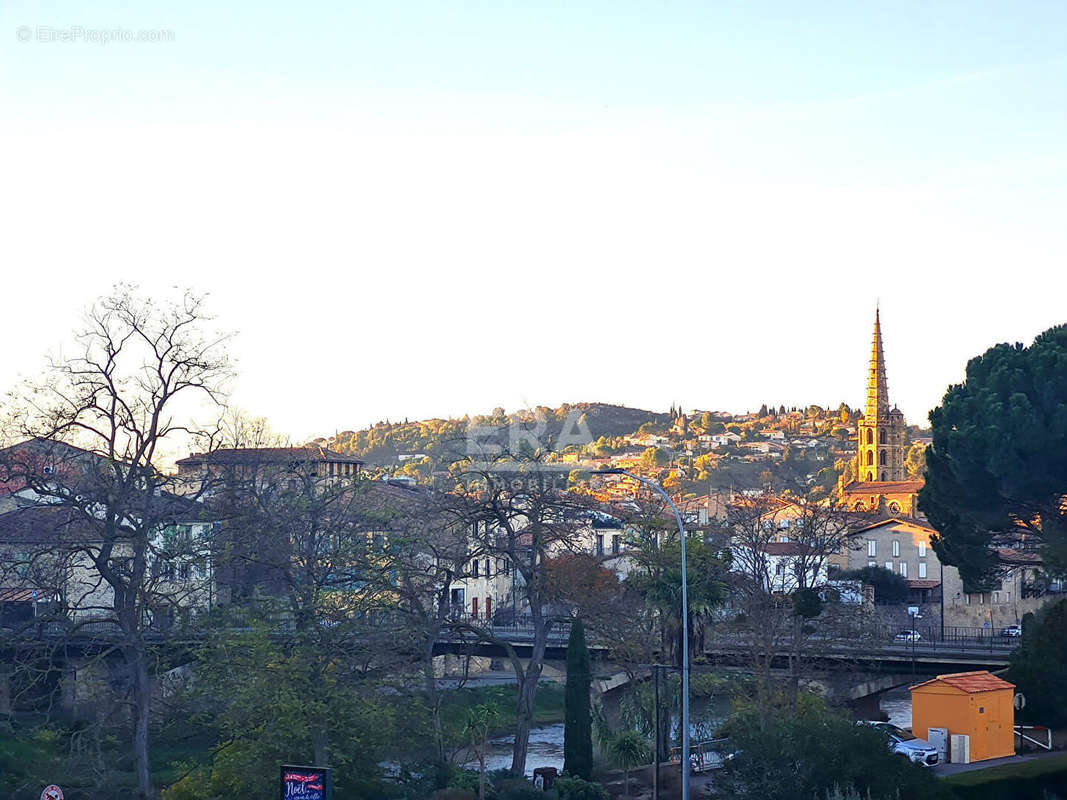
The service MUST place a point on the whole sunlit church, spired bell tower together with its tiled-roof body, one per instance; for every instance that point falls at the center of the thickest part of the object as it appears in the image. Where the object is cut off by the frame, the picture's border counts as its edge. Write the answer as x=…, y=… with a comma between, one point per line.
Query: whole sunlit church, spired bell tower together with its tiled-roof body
x=881, y=483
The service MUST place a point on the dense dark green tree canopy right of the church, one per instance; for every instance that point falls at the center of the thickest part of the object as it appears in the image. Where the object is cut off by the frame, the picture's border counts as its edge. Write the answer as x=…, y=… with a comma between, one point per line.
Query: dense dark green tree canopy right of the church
x=997, y=471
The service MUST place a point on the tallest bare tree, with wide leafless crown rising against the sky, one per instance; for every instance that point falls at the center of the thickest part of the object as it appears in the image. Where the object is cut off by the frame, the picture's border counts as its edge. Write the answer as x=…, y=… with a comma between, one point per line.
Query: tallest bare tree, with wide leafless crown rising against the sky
x=124, y=399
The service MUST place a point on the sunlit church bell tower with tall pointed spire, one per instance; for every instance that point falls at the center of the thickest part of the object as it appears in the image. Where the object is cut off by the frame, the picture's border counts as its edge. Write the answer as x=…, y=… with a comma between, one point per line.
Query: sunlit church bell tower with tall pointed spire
x=880, y=455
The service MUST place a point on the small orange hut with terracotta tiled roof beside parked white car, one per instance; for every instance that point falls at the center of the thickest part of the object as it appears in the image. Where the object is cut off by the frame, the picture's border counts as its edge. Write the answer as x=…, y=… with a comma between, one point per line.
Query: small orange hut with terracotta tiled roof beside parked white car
x=977, y=705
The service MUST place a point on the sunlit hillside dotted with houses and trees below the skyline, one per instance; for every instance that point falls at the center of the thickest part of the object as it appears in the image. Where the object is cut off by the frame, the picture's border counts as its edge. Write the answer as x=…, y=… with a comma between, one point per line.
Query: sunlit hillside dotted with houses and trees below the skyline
x=800, y=450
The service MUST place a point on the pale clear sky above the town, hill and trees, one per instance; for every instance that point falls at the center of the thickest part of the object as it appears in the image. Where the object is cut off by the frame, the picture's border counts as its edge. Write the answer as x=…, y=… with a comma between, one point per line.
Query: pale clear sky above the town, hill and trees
x=419, y=210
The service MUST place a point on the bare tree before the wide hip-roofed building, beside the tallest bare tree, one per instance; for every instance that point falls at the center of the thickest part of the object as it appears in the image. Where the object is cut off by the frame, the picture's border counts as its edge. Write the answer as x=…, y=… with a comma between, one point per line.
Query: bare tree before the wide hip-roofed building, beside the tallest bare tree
x=315, y=543
